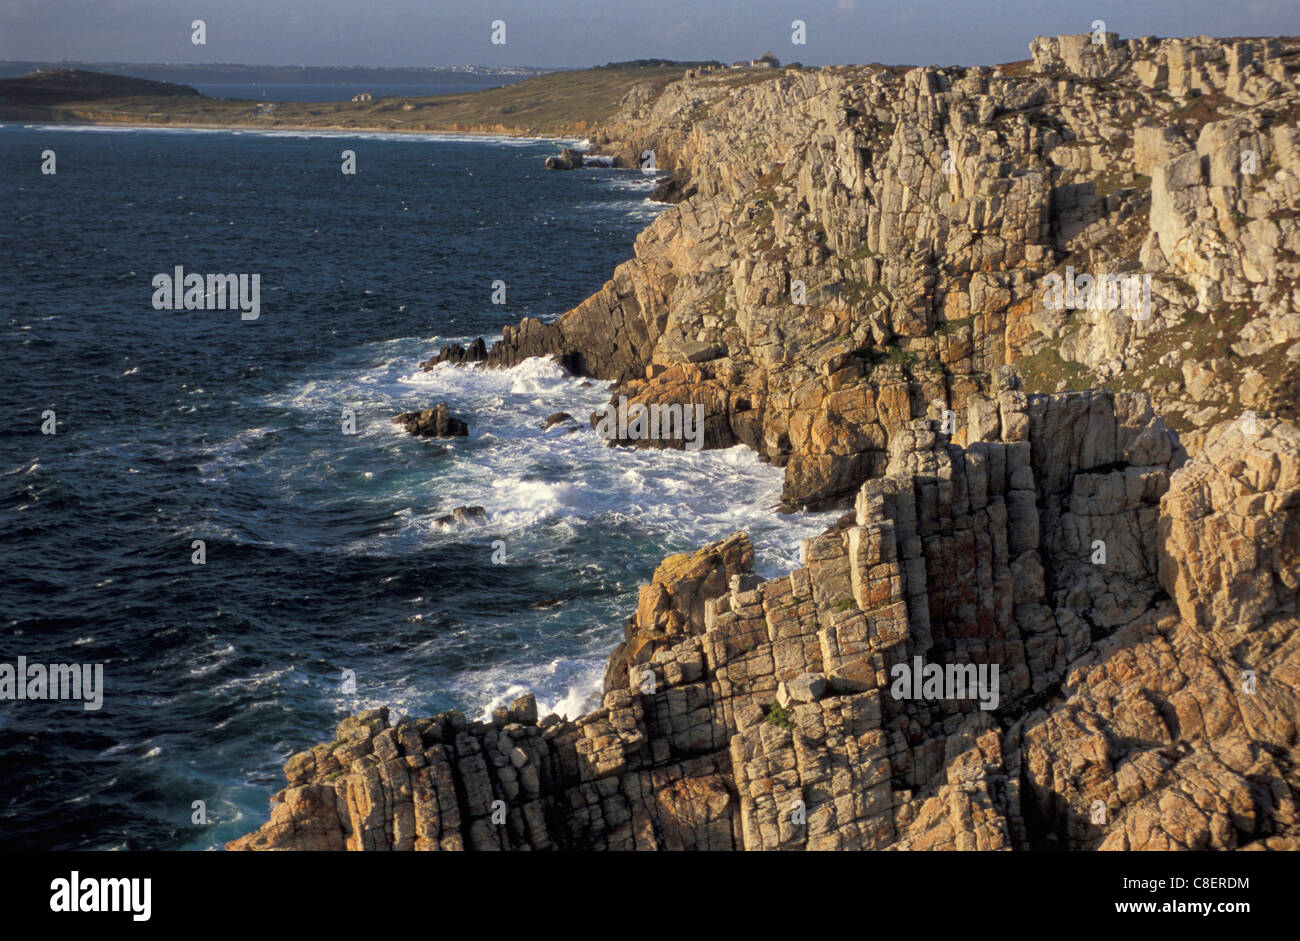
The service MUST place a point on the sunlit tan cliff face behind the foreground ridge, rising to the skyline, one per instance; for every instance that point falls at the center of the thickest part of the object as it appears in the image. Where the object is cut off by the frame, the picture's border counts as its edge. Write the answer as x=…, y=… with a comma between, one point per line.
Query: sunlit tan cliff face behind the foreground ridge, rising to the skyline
x=866, y=246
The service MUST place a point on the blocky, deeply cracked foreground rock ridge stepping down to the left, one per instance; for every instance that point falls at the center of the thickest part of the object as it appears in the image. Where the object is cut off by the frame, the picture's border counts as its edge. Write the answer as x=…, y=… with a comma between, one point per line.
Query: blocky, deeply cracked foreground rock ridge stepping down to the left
x=1146, y=696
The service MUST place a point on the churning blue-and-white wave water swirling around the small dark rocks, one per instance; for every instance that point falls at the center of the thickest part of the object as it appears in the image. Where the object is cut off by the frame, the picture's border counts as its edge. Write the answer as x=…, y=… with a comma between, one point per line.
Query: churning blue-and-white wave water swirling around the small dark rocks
x=523, y=475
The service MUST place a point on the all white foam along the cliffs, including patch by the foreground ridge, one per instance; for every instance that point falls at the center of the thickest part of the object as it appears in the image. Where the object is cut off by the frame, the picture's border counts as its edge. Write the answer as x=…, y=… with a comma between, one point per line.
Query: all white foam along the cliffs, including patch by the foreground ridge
x=536, y=485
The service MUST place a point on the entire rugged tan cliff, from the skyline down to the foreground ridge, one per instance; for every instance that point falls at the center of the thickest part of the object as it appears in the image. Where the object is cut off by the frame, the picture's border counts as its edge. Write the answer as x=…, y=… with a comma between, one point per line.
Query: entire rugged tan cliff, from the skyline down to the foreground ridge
x=1055, y=615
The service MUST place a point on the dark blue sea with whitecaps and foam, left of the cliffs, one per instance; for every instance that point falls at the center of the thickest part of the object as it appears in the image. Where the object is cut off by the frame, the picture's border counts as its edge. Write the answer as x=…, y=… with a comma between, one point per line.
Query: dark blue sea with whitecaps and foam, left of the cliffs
x=323, y=550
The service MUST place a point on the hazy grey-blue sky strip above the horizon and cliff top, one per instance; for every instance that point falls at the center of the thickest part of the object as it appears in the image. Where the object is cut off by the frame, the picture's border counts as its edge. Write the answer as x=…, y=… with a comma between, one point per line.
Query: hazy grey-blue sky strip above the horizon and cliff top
x=580, y=33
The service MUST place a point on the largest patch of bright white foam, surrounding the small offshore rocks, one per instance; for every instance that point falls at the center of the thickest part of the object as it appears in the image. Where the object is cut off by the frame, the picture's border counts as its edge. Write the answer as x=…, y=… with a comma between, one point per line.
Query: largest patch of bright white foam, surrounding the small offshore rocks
x=526, y=476
